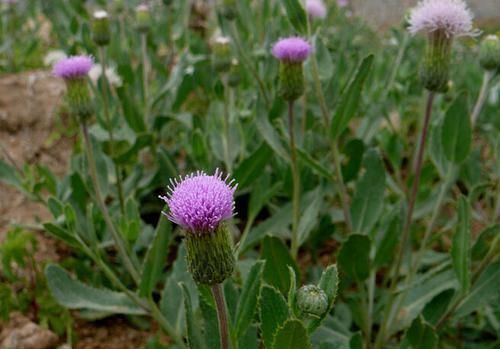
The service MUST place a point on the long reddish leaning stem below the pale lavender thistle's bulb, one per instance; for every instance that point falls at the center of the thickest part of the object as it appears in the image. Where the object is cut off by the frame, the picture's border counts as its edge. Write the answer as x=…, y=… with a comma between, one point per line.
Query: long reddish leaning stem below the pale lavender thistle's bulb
x=407, y=224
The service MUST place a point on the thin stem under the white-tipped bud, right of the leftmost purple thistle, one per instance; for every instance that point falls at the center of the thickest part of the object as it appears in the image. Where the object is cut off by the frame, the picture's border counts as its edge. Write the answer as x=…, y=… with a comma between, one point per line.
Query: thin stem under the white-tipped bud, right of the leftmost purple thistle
x=109, y=126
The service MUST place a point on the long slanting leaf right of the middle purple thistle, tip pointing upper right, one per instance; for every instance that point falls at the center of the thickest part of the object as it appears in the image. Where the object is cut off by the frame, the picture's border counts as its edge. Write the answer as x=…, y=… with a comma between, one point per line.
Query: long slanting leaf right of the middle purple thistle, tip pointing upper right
x=350, y=98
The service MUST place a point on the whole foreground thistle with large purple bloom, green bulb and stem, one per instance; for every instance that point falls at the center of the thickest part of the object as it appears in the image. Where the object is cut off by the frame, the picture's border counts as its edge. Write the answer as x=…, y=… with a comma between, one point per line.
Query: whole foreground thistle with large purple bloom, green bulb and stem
x=200, y=204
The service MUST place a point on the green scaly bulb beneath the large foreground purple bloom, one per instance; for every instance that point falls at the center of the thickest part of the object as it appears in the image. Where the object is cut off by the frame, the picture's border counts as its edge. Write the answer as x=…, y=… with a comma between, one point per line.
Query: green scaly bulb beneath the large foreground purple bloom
x=210, y=256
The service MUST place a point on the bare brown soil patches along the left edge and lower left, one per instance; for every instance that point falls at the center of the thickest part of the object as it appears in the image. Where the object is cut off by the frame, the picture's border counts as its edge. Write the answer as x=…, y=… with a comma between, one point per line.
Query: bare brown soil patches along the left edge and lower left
x=29, y=135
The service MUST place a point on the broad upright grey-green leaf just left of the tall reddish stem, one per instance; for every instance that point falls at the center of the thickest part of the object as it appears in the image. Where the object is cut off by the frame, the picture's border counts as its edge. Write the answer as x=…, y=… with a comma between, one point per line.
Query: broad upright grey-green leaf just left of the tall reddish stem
x=368, y=200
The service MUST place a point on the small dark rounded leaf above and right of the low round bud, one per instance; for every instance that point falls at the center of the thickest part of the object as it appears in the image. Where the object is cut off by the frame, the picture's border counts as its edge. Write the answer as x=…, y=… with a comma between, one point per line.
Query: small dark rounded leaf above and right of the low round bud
x=354, y=257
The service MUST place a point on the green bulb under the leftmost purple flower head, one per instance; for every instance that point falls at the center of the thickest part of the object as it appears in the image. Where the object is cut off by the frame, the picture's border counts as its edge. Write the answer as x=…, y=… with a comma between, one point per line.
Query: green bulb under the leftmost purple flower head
x=78, y=98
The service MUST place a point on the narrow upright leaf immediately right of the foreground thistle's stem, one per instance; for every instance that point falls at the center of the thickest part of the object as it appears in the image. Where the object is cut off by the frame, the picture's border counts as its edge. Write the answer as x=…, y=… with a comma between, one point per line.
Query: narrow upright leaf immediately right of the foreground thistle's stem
x=248, y=300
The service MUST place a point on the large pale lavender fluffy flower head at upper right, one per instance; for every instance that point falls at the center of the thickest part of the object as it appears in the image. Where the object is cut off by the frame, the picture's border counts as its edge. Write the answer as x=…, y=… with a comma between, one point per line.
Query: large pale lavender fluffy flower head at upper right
x=452, y=17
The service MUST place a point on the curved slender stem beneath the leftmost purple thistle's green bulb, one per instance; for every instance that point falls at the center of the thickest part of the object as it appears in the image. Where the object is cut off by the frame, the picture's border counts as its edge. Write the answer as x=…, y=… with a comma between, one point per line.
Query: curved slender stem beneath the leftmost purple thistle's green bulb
x=120, y=245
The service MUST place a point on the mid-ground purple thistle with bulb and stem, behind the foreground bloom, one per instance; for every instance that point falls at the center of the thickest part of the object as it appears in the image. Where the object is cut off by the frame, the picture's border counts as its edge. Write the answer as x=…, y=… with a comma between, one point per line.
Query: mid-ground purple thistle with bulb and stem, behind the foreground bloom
x=292, y=52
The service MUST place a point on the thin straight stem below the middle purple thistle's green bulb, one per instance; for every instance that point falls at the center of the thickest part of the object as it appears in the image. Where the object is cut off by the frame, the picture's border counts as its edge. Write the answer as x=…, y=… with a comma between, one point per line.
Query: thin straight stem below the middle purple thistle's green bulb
x=296, y=183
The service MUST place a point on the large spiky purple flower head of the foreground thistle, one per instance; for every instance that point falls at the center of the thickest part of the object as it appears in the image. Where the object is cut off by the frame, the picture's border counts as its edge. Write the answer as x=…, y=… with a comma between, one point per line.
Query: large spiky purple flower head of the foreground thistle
x=199, y=202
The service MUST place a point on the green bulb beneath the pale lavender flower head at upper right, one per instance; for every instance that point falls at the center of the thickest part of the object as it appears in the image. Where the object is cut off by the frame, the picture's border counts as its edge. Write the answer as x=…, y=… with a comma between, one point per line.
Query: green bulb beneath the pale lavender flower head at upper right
x=435, y=72
